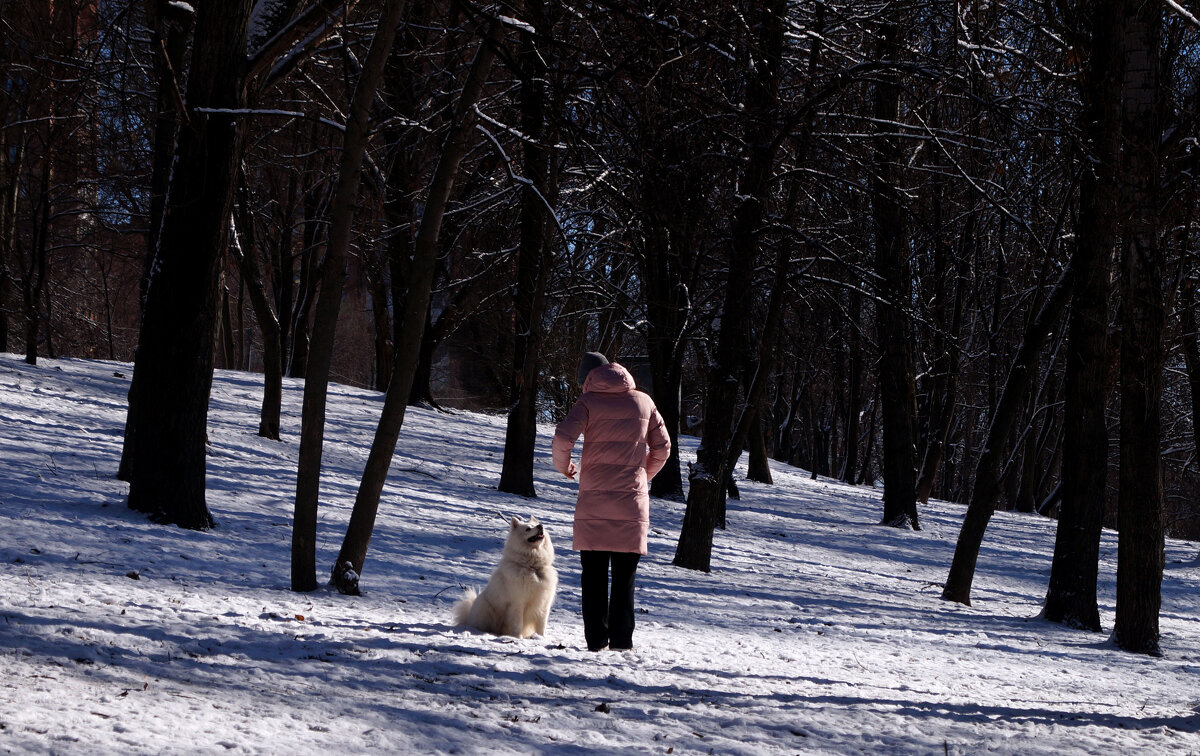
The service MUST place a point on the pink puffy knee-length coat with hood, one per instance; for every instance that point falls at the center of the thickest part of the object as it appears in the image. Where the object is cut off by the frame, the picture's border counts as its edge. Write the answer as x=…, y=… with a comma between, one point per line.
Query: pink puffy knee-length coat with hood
x=625, y=445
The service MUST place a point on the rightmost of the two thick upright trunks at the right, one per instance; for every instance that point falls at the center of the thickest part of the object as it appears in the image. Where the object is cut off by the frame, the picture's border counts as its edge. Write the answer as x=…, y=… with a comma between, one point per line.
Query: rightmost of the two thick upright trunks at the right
x=1143, y=317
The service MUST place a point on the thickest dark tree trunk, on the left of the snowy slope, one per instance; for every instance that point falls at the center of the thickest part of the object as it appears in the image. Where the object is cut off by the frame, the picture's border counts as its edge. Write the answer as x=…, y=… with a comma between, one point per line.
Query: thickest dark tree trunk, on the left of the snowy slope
x=173, y=370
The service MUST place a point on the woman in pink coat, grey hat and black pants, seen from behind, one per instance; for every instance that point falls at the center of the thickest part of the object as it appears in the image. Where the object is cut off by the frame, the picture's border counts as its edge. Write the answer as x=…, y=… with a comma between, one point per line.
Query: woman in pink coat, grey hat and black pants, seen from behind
x=625, y=445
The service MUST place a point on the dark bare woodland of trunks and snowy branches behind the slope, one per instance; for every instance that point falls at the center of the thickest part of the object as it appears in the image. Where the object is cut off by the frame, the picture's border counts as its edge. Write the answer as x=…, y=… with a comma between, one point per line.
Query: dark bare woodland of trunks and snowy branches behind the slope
x=947, y=249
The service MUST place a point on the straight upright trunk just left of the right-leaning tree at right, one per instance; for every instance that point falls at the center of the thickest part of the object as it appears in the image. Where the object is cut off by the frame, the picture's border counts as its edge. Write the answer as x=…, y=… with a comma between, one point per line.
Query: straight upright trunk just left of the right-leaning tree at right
x=895, y=327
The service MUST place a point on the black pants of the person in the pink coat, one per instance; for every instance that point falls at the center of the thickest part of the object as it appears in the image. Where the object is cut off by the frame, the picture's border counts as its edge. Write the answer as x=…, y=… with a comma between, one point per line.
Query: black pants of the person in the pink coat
x=608, y=622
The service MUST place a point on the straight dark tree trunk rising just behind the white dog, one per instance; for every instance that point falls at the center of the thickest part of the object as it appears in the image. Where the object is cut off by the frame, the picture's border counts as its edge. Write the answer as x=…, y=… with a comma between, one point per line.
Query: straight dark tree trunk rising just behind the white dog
x=517, y=476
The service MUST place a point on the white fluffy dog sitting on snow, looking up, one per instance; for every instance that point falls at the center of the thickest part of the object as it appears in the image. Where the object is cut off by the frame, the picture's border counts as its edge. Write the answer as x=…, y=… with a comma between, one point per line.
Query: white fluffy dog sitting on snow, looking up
x=518, y=598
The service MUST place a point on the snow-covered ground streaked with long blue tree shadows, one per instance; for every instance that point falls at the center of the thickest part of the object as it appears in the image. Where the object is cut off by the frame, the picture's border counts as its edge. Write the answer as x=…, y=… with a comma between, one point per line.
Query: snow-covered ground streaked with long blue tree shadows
x=818, y=632
